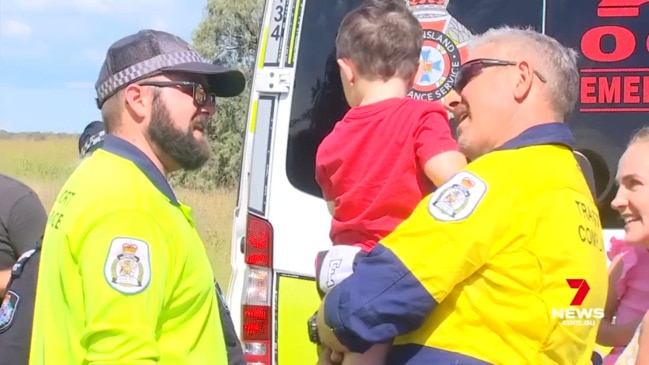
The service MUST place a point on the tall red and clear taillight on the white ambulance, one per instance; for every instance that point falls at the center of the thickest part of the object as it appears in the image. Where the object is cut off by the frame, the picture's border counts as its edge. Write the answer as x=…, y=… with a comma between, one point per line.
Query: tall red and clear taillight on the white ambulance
x=257, y=306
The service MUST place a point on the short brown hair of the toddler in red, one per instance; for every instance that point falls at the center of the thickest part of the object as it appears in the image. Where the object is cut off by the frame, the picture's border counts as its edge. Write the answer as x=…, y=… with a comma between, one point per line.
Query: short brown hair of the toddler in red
x=382, y=38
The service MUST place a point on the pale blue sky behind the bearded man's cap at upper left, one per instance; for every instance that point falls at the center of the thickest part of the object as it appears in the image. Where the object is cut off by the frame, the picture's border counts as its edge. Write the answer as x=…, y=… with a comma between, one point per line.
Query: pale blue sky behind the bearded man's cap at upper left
x=51, y=52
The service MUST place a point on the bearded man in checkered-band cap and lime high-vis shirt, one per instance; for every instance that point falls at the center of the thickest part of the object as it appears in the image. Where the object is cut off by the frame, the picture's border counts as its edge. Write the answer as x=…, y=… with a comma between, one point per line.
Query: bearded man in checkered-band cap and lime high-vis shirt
x=124, y=276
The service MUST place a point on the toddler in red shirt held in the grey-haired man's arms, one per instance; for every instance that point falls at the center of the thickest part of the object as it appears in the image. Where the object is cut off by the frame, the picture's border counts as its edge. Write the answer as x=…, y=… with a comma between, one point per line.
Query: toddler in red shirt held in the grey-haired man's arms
x=388, y=152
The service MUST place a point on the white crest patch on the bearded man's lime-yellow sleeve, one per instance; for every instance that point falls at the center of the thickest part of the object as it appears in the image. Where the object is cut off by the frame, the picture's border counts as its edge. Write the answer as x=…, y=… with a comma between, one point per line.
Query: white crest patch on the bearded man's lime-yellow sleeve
x=128, y=266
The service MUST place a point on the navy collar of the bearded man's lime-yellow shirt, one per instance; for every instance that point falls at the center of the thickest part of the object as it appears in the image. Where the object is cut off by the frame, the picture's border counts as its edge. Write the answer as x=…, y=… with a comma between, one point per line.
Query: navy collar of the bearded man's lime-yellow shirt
x=122, y=148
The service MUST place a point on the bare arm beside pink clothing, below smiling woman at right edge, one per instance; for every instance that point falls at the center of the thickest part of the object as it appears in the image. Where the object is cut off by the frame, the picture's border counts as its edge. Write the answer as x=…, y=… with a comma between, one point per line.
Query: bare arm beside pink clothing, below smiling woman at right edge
x=618, y=334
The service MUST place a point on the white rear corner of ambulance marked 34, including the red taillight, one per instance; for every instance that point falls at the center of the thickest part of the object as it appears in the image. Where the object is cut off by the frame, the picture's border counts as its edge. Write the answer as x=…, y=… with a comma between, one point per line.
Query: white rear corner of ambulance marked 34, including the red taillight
x=250, y=292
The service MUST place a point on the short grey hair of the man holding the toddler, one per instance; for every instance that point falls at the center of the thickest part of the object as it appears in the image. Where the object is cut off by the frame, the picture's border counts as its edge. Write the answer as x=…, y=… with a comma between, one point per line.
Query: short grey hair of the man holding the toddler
x=558, y=64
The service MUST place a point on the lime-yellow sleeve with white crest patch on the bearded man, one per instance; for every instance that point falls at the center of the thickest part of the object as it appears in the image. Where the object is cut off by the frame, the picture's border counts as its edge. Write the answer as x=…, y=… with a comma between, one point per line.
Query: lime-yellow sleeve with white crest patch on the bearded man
x=124, y=262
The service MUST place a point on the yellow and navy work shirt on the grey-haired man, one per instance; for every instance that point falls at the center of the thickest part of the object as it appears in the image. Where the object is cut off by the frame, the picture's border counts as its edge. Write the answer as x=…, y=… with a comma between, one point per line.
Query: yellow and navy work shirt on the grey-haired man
x=478, y=274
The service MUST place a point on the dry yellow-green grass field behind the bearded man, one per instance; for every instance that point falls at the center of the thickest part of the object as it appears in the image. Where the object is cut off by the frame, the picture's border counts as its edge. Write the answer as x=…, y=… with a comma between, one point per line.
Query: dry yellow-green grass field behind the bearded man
x=45, y=163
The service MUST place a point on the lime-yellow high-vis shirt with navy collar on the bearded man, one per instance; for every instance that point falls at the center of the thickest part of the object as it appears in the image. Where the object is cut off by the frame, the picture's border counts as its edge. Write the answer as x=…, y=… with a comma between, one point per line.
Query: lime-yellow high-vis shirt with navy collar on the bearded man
x=124, y=276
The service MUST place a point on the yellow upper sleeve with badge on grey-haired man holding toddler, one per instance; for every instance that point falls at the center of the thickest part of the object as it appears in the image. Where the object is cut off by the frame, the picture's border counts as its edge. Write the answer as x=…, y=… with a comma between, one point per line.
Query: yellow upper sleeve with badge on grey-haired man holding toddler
x=453, y=232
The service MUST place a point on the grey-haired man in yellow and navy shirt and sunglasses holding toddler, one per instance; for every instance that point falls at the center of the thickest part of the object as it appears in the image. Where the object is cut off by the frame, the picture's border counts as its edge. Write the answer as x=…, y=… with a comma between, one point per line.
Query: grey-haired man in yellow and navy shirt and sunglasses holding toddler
x=476, y=274
